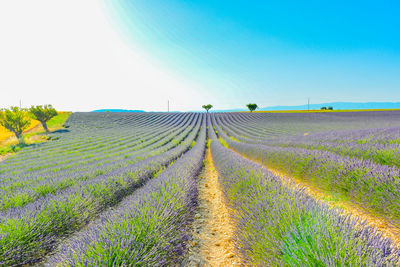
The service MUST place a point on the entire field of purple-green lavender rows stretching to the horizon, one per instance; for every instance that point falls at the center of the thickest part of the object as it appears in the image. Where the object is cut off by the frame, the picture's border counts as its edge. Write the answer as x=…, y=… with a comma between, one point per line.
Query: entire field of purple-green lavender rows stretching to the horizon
x=122, y=189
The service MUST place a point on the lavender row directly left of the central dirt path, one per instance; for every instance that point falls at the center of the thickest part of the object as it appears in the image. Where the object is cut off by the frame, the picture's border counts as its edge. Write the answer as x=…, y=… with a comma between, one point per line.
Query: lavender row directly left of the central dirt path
x=149, y=228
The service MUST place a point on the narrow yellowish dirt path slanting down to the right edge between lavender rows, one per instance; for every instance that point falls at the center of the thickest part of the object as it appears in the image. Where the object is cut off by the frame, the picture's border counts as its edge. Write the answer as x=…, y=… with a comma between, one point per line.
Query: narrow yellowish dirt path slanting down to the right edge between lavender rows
x=347, y=208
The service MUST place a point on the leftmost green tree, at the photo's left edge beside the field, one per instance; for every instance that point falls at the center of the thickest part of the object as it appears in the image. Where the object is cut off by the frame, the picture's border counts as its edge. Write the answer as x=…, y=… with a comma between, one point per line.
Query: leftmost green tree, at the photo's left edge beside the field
x=15, y=120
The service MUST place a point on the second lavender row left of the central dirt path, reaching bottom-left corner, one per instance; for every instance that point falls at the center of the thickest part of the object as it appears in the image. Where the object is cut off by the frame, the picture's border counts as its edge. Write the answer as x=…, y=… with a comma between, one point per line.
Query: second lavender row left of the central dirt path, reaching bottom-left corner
x=28, y=233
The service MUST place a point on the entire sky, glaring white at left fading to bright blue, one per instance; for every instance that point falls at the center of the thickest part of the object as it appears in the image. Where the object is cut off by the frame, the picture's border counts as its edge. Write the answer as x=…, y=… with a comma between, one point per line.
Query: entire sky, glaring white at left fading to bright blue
x=82, y=55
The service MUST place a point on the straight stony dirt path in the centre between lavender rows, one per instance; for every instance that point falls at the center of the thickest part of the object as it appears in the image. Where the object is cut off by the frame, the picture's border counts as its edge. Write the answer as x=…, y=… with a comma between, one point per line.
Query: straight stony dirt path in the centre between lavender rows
x=212, y=243
